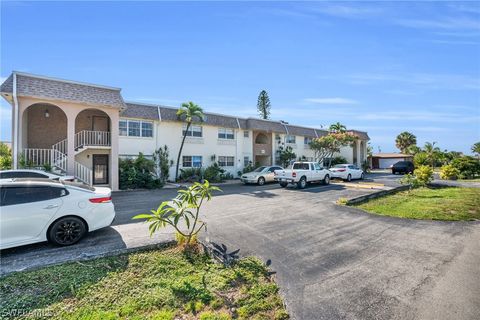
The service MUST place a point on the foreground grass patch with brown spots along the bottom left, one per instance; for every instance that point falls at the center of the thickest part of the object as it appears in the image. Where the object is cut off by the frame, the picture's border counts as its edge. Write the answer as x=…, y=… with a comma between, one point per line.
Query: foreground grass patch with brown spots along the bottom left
x=160, y=284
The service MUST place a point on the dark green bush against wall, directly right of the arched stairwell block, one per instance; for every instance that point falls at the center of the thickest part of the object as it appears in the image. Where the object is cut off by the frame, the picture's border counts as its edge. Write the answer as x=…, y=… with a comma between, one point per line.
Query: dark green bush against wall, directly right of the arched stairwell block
x=138, y=173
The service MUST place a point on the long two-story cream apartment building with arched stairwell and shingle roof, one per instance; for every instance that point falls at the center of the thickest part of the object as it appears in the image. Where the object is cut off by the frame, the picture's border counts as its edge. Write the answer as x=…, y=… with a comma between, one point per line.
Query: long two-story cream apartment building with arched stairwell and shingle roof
x=83, y=129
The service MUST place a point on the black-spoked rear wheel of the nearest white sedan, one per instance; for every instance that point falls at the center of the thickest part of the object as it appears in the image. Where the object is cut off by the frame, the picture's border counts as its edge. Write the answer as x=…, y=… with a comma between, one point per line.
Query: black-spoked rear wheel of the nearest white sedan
x=67, y=231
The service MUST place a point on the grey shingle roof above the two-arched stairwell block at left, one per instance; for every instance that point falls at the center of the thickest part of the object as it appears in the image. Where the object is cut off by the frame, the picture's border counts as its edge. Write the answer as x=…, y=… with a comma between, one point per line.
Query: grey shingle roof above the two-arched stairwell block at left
x=57, y=89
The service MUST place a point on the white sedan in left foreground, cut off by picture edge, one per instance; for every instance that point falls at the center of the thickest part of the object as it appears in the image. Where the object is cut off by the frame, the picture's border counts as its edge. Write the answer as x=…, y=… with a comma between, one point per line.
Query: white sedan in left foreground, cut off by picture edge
x=36, y=210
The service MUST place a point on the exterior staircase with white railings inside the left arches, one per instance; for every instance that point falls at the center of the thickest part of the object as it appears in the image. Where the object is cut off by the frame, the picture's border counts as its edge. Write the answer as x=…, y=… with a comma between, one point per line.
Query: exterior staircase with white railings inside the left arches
x=57, y=156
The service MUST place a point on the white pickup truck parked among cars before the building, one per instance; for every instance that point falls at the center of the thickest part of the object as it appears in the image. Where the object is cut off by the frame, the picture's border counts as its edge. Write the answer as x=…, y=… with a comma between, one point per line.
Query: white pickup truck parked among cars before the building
x=302, y=173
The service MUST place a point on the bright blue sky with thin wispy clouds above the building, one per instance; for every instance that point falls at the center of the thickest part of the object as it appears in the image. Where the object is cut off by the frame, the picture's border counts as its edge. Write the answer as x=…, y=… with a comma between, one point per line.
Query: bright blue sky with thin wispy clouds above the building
x=375, y=66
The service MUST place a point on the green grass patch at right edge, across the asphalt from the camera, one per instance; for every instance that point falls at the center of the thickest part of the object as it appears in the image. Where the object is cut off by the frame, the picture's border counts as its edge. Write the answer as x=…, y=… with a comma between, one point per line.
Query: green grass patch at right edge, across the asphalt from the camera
x=428, y=203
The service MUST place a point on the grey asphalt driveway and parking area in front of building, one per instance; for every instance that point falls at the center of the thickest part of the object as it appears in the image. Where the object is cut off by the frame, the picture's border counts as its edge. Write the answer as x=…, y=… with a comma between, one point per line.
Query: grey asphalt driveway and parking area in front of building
x=332, y=262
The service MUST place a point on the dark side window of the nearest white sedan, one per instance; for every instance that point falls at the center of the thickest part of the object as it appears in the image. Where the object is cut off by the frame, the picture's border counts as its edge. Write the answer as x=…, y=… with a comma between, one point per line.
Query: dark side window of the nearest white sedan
x=19, y=195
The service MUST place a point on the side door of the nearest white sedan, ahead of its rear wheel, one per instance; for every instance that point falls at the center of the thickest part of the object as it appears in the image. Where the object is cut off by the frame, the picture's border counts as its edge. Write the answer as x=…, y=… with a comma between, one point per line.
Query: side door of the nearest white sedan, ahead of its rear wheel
x=26, y=210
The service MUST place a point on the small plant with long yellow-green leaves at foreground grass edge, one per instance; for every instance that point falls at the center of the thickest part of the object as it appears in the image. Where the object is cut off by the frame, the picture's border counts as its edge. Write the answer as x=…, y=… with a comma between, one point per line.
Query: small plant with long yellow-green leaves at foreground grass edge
x=183, y=209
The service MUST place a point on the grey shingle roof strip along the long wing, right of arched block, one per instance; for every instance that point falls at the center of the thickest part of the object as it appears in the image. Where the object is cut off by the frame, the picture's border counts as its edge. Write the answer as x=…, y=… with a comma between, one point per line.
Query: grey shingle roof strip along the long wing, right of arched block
x=148, y=111
